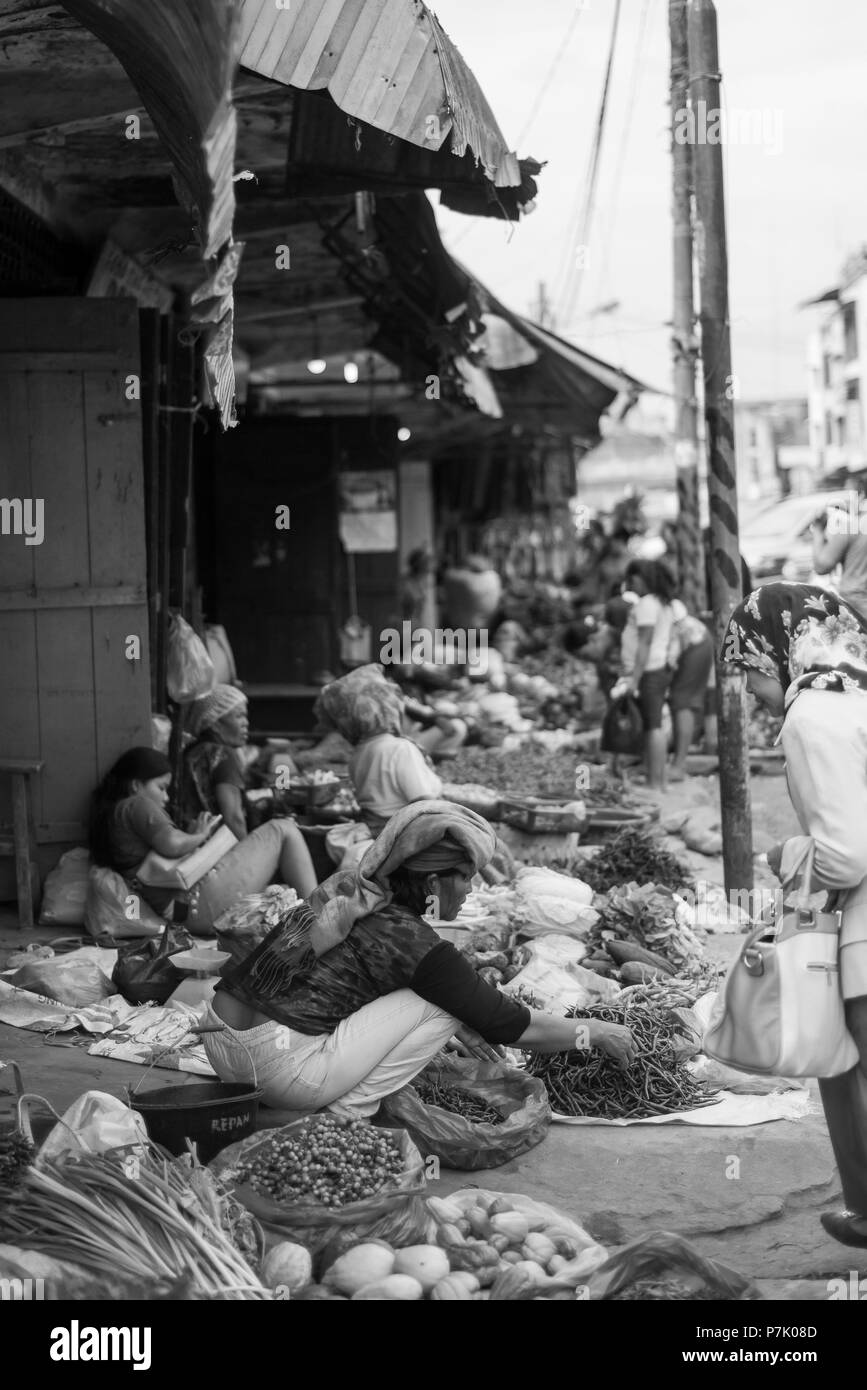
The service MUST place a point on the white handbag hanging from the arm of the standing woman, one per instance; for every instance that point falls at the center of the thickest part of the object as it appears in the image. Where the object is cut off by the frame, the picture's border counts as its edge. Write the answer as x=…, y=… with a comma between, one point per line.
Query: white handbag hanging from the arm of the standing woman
x=782, y=1010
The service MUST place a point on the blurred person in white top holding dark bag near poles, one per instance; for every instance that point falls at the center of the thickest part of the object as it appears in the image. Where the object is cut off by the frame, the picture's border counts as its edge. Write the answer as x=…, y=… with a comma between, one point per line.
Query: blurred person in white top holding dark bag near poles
x=645, y=658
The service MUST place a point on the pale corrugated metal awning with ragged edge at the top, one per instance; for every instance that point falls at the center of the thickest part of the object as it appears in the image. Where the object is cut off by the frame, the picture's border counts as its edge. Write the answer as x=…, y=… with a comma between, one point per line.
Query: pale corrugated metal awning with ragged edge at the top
x=387, y=63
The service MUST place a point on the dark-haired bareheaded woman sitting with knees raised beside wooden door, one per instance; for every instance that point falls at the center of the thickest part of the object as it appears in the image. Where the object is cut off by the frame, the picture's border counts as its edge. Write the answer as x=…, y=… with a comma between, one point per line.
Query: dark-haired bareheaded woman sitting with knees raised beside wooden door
x=130, y=819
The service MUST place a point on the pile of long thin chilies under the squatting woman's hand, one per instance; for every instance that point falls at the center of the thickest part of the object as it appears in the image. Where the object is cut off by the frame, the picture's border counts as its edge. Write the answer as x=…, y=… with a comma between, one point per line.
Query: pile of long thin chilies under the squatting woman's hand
x=590, y=1084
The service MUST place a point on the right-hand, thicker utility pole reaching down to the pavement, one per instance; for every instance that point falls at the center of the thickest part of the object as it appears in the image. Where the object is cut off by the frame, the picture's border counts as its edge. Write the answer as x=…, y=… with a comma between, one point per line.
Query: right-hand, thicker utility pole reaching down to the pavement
x=720, y=390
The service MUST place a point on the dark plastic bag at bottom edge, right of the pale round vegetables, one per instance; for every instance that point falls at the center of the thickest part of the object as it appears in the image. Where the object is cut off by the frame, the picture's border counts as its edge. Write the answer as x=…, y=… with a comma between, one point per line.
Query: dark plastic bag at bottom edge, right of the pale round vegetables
x=668, y=1268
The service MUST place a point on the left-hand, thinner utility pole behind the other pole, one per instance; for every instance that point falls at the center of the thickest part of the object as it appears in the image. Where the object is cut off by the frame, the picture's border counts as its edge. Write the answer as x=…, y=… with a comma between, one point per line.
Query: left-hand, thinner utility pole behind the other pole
x=690, y=546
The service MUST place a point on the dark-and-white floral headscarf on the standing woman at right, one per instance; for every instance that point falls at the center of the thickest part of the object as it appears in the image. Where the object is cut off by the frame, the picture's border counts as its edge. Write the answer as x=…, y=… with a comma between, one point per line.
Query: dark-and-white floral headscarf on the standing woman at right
x=802, y=636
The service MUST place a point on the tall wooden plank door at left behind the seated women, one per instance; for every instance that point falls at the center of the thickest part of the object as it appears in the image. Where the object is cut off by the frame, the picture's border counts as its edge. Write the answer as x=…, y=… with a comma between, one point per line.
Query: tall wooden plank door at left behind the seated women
x=72, y=600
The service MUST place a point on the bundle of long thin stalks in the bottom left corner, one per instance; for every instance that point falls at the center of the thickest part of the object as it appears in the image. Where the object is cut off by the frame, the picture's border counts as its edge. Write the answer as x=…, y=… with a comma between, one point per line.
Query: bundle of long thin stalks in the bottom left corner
x=144, y=1220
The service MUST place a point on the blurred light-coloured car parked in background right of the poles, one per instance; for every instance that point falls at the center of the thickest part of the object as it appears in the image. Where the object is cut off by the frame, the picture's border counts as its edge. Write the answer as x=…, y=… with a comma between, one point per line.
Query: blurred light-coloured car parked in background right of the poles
x=777, y=543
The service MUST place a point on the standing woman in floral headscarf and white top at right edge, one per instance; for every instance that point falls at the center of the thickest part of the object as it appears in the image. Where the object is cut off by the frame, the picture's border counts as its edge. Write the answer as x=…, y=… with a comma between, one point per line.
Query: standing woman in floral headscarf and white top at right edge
x=805, y=657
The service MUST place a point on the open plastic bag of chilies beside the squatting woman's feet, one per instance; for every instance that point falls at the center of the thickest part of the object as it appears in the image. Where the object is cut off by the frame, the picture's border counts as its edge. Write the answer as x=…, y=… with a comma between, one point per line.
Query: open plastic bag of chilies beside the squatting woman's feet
x=463, y=1143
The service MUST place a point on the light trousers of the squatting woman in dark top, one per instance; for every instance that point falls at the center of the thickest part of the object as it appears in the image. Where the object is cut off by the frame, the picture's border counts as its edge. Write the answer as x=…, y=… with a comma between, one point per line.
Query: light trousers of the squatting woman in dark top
x=370, y=1056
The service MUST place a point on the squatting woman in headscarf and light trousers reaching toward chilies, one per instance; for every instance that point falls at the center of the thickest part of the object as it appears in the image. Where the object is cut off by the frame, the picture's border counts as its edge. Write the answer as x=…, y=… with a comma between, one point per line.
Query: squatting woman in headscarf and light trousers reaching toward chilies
x=348, y=999
